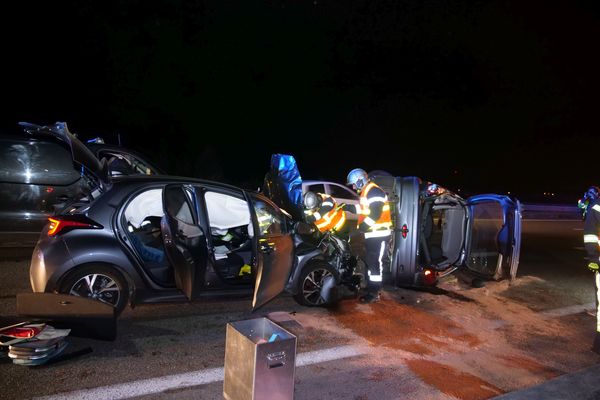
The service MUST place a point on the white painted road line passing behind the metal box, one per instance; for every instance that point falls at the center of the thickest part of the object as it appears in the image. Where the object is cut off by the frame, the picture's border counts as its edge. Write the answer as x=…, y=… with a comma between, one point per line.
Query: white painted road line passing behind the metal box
x=189, y=379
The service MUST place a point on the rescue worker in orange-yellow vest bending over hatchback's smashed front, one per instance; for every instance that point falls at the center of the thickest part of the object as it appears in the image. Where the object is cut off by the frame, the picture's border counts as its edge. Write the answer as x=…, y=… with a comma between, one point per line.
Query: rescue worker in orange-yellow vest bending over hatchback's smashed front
x=323, y=211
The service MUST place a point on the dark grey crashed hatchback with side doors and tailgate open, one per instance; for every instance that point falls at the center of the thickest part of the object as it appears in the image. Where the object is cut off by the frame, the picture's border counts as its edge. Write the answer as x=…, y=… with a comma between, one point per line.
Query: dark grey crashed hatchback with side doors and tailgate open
x=143, y=239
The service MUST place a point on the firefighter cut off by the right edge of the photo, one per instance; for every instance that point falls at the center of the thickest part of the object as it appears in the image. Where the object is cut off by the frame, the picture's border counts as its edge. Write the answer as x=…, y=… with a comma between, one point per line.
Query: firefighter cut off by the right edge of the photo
x=590, y=205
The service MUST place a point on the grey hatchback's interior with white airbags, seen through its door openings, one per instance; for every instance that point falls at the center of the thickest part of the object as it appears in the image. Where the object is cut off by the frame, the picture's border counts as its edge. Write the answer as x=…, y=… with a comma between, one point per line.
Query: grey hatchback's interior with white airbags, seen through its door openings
x=231, y=235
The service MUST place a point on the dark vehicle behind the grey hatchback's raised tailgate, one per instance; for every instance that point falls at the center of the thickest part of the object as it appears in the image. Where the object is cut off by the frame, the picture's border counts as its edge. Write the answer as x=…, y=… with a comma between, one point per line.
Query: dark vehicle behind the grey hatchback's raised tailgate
x=38, y=177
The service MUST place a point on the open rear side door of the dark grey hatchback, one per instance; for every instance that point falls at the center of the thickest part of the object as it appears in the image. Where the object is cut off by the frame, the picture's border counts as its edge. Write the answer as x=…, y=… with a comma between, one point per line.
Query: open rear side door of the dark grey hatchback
x=184, y=240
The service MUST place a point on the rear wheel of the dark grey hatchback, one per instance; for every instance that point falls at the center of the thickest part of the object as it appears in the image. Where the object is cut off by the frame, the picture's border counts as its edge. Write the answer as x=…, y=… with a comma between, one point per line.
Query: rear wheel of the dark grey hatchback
x=107, y=285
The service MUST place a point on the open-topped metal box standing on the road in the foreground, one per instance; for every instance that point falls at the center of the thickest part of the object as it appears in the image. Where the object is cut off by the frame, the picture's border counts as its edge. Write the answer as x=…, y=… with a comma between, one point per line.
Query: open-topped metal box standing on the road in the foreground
x=260, y=361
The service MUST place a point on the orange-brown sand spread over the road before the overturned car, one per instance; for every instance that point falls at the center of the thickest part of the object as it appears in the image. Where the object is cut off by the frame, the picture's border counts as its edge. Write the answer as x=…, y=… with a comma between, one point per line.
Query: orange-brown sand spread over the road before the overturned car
x=470, y=344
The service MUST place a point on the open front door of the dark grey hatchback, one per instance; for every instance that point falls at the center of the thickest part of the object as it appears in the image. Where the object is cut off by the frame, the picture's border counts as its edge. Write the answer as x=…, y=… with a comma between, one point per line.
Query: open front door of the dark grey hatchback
x=274, y=260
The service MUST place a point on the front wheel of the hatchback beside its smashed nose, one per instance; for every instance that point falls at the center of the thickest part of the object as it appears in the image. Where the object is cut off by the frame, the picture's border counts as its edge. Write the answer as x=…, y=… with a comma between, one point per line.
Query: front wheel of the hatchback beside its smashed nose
x=310, y=283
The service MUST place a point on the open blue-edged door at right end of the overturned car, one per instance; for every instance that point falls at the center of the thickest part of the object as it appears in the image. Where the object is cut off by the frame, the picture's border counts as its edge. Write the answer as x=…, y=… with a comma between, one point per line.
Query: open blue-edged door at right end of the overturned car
x=493, y=236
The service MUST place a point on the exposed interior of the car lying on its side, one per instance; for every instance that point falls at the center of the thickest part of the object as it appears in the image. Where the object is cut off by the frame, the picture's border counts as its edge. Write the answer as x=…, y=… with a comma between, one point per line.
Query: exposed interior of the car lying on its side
x=442, y=234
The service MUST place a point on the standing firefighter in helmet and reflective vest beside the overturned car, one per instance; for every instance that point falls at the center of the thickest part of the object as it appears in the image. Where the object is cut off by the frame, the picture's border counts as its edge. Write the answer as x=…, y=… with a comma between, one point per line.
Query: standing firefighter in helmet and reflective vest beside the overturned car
x=374, y=221
